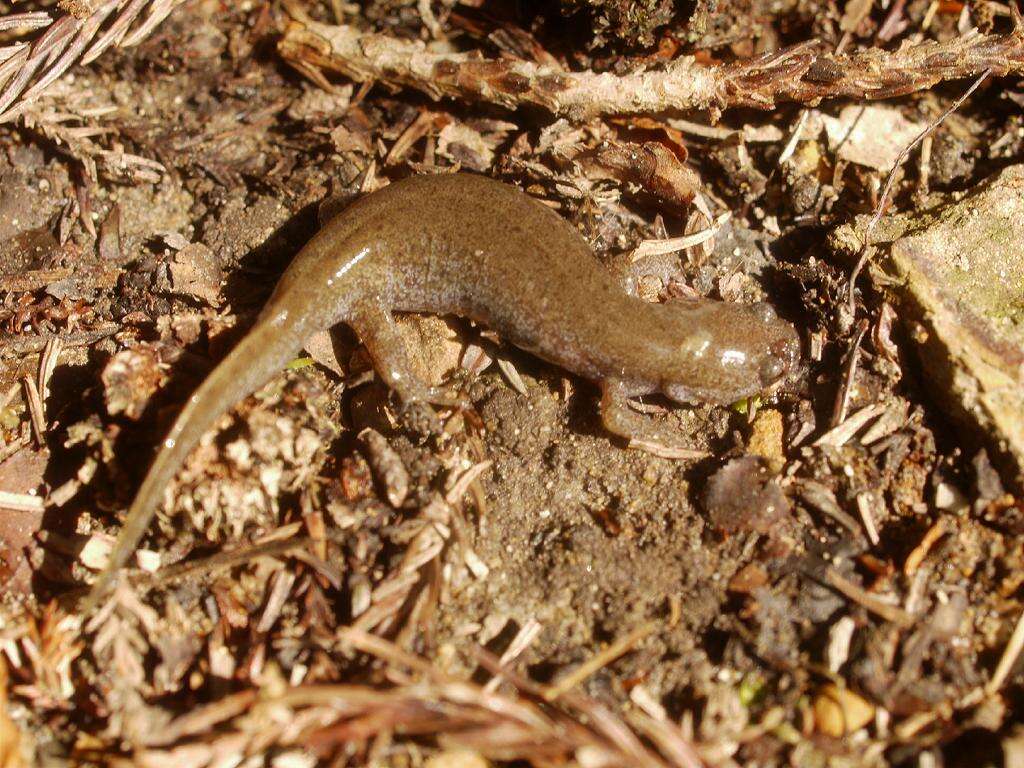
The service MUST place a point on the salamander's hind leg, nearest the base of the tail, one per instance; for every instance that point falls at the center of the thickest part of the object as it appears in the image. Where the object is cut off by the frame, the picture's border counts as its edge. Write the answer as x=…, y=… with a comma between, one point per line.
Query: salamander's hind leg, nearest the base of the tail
x=380, y=335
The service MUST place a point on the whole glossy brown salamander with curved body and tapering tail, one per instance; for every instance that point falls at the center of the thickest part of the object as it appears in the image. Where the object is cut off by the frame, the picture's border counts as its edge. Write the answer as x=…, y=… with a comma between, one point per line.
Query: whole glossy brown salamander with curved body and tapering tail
x=470, y=246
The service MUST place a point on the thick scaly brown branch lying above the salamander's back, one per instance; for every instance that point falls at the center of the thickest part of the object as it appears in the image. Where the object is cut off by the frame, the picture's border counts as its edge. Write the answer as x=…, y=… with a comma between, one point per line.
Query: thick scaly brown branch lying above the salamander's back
x=806, y=73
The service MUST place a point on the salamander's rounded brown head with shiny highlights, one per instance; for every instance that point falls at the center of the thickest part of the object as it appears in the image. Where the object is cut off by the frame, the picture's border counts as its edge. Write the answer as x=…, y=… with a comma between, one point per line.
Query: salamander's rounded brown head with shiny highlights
x=730, y=352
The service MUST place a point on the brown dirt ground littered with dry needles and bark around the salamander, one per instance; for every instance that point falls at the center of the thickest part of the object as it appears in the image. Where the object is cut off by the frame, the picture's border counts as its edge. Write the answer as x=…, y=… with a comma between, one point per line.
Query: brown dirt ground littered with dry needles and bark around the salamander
x=833, y=579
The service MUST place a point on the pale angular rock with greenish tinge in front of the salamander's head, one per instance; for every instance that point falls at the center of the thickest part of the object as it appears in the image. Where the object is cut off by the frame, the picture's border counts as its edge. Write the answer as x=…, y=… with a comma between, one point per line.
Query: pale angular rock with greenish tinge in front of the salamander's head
x=956, y=270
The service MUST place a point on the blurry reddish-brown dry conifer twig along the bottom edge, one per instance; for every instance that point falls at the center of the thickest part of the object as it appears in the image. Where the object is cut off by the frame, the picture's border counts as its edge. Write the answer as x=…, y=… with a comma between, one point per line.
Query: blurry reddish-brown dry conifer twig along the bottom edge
x=328, y=718
